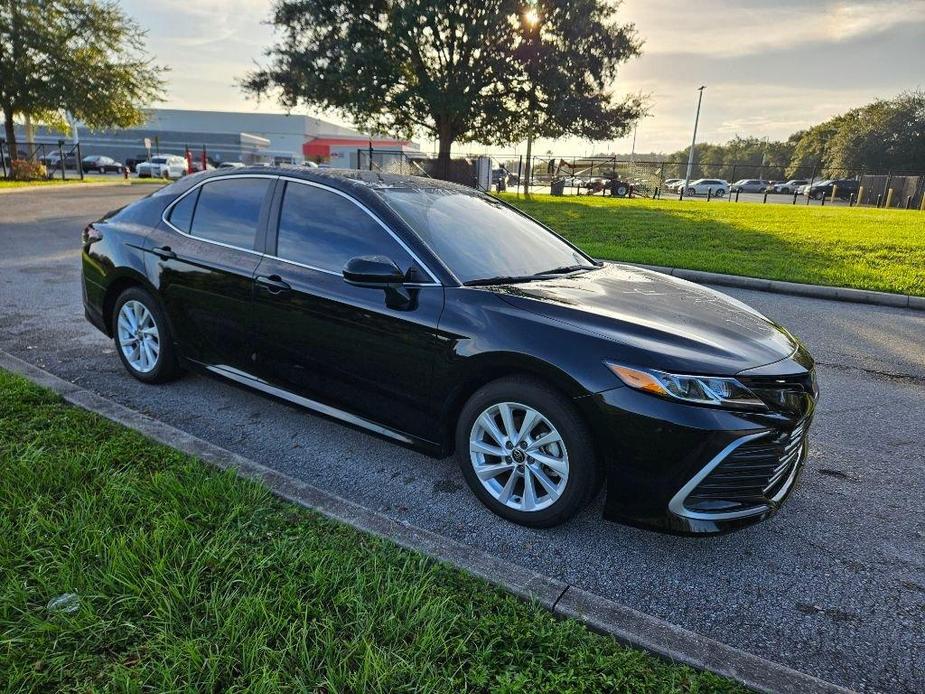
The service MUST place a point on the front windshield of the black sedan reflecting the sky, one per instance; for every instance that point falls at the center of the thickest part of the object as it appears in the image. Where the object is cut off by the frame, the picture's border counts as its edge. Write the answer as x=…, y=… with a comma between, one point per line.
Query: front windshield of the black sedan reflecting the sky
x=479, y=238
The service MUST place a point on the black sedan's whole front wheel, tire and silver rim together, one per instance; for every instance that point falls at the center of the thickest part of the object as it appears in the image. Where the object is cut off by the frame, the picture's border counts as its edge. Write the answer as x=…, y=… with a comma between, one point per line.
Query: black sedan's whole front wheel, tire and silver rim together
x=525, y=452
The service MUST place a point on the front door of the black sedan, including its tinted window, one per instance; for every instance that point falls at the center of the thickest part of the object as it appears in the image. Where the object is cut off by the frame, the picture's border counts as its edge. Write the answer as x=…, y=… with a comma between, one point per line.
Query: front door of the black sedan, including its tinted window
x=359, y=349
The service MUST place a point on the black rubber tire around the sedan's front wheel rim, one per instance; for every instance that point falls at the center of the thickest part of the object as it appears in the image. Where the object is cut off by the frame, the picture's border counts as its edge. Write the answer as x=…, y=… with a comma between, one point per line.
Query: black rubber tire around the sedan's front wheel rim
x=584, y=474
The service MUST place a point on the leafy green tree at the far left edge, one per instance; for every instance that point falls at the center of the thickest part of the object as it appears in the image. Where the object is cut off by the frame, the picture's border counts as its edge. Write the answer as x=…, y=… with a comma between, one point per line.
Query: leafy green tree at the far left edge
x=72, y=56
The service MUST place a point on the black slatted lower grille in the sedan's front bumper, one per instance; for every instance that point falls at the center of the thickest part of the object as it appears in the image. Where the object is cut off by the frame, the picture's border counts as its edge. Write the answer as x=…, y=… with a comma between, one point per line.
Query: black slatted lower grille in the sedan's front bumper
x=755, y=474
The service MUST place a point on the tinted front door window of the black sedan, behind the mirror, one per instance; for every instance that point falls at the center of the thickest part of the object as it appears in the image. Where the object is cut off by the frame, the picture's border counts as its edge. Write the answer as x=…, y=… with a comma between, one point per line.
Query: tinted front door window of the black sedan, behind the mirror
x=325, y=230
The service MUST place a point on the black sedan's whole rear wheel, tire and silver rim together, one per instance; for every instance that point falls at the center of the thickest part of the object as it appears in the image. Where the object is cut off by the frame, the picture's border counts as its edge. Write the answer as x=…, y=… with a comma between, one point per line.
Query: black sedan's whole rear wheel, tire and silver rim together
x=142, y=337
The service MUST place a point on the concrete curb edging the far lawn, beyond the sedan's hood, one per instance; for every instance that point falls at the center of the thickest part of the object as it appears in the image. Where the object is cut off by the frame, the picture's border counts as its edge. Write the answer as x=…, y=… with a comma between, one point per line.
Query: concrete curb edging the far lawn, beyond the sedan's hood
x=816, y=291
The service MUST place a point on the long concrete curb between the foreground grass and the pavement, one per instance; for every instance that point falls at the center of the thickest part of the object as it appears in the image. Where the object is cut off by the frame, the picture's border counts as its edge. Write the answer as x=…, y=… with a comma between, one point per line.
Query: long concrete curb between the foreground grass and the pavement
x=628, y=626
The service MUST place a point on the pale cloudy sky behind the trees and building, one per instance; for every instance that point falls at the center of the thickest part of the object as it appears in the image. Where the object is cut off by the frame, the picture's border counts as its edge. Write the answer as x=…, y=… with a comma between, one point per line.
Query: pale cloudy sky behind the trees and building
x=770, y=66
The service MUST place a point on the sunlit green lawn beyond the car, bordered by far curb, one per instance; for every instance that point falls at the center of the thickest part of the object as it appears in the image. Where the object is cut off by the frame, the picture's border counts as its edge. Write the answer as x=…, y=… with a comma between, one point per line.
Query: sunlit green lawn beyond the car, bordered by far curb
x=865, y=248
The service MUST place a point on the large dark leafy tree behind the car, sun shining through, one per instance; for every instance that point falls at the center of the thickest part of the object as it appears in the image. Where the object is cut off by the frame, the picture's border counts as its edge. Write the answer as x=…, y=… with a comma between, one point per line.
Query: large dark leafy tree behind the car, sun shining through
x=460, y=70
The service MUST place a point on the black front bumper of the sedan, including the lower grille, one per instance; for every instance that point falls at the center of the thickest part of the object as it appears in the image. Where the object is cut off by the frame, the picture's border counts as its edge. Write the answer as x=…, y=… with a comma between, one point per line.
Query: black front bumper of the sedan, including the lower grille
x=691, y=470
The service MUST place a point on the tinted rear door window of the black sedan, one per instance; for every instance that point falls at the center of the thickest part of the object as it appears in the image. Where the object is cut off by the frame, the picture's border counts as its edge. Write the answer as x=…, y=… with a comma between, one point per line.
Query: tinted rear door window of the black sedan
x=228, y=211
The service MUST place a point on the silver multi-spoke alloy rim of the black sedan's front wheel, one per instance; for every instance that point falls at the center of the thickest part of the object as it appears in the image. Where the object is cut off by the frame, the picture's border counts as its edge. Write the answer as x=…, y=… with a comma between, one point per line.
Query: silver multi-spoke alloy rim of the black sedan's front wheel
x=519, y=456
